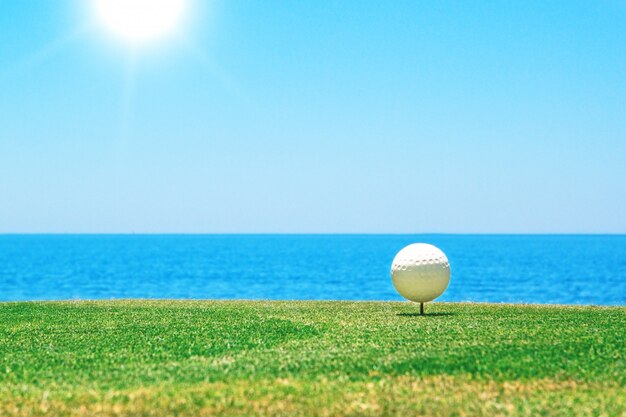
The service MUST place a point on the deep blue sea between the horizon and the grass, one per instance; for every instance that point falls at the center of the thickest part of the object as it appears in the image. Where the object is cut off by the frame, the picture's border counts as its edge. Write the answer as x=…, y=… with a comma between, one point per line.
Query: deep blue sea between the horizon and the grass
x=563, y=269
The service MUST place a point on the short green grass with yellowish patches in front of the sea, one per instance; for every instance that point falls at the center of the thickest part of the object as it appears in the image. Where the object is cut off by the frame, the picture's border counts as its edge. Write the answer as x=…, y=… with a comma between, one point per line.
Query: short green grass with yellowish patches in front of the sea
x=162, y=358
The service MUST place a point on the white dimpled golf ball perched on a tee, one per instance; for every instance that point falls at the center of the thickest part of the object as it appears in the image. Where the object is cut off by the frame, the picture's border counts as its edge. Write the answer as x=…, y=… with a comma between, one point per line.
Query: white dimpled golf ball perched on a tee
x=420, y=272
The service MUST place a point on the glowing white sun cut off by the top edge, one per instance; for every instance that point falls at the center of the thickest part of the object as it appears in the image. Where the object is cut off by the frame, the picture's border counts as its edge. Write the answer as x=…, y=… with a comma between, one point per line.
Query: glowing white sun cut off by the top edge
x=140, y=21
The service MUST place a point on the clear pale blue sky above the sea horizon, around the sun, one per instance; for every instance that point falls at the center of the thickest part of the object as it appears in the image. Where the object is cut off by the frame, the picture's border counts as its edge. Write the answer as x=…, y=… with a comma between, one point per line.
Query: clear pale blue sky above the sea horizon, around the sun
x=317, y=116
